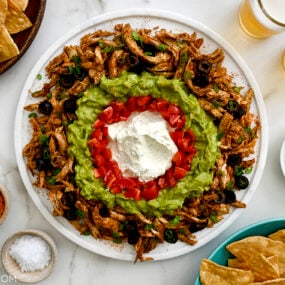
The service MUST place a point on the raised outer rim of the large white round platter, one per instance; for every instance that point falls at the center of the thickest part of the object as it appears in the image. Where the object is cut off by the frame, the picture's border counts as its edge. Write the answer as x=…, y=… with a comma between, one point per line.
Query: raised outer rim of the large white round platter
x=168, y=16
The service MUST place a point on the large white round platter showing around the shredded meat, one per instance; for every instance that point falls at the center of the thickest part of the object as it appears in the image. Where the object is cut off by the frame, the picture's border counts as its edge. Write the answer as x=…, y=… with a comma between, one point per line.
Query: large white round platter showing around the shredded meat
x=139, y=18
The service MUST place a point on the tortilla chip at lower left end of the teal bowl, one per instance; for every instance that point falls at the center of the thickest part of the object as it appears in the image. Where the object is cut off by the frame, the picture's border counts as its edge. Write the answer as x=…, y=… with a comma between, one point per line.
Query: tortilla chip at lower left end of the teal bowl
x=212, y=273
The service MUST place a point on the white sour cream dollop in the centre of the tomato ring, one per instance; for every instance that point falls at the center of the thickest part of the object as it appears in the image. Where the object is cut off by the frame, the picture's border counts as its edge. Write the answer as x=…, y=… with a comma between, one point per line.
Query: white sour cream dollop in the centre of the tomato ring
x=142, y=145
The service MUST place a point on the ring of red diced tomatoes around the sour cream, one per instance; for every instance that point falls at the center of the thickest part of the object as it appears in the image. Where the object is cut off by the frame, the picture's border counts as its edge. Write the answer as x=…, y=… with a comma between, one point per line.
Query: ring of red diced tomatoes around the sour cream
x=109, y=170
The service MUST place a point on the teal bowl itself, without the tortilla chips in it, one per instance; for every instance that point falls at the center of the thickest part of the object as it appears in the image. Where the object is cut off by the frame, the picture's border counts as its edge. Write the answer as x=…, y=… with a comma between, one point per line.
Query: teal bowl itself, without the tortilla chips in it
x=263, y=228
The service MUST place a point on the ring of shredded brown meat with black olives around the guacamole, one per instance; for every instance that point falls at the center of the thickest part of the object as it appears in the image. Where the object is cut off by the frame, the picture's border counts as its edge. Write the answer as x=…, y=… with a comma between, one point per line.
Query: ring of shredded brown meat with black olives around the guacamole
x=160, y=52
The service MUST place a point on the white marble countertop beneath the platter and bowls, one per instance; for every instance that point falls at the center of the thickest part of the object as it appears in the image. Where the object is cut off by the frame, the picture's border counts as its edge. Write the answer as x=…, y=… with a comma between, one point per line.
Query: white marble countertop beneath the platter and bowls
x=76, y=265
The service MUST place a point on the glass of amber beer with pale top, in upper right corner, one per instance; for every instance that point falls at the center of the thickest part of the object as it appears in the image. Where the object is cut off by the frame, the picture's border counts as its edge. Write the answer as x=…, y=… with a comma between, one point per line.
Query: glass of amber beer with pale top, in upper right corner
x=262, y=18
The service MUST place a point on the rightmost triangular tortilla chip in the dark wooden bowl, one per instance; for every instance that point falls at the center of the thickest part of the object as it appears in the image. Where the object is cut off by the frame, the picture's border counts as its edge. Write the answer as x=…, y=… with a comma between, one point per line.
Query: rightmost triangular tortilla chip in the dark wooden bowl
x=16, y=20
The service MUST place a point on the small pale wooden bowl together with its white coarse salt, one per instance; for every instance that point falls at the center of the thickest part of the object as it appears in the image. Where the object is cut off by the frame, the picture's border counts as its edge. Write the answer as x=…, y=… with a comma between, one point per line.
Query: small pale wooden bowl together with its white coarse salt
x=29, y=256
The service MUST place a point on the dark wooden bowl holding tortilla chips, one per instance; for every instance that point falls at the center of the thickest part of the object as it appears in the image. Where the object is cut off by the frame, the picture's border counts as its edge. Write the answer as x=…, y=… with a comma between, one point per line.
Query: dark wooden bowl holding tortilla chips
x=19, y=24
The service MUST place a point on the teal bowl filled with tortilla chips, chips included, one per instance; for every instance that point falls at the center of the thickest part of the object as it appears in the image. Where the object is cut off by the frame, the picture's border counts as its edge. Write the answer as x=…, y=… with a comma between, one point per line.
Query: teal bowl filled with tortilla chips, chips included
x=253, y=255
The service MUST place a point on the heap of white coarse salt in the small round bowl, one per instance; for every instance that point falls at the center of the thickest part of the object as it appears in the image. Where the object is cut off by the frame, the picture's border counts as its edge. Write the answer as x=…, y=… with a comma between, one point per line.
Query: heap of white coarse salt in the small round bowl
x=30, y=252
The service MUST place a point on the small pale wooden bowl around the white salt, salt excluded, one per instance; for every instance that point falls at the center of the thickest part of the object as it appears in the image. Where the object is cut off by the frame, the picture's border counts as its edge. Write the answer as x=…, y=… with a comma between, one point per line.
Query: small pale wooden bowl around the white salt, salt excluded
x=13, y=268
